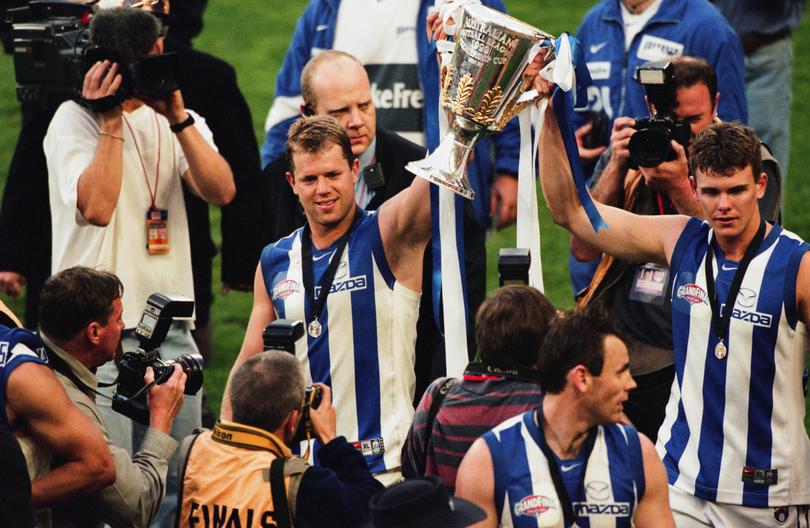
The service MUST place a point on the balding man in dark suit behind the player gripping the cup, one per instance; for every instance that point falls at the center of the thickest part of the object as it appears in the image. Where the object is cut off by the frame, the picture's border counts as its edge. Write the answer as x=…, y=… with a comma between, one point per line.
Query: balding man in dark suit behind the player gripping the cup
x=334, y=83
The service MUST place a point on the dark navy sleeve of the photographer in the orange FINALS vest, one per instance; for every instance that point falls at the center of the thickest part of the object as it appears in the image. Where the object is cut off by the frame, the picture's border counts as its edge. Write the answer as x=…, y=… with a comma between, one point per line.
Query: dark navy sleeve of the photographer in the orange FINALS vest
x=336, y=494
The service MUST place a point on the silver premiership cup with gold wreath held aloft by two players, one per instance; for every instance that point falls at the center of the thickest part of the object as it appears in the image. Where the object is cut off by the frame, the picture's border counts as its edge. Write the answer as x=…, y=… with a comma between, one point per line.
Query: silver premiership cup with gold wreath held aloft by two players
x=482, y=89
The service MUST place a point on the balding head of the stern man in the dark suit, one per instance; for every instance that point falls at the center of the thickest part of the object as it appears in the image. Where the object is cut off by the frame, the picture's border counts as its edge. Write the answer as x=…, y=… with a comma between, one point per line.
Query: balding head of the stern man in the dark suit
x=335, y=84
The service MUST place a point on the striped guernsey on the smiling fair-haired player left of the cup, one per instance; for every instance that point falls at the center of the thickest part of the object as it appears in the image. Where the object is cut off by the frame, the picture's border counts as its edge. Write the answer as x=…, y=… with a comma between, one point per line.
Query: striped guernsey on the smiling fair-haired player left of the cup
x=366, y=350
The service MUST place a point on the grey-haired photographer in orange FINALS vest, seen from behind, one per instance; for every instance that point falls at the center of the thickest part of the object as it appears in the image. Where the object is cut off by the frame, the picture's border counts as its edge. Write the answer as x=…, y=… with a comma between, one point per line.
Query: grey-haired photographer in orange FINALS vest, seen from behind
x=225, y=471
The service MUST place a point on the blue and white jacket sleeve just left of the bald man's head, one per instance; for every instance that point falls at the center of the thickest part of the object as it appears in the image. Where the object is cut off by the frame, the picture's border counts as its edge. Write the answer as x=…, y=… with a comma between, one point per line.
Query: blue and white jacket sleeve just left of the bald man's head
x=288, y=81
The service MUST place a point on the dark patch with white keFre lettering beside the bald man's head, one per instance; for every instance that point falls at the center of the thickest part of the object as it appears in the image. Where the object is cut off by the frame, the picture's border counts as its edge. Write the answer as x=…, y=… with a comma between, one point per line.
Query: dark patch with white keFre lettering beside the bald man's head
x=397, y=96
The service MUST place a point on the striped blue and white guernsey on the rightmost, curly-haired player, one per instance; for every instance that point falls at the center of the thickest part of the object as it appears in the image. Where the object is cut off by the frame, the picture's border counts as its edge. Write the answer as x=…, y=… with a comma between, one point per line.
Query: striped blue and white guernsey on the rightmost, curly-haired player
x=734, y=431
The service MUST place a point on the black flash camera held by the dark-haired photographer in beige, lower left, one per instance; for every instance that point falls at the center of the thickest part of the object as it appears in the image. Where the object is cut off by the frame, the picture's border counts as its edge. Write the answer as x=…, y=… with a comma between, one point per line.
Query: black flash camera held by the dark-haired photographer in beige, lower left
x=130, y=394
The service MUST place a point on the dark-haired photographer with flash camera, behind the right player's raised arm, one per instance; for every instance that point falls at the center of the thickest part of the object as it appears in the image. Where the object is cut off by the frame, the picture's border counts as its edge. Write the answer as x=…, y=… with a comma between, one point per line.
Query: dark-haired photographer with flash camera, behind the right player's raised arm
x=637, y=294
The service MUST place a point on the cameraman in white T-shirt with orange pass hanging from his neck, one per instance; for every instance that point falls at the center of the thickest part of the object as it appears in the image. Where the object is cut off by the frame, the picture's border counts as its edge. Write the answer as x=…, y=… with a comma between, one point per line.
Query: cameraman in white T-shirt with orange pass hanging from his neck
x=114, y=178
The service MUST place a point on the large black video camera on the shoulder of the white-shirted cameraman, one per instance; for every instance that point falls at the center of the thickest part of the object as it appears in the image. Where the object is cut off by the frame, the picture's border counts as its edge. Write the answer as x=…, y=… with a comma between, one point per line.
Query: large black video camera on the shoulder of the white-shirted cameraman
x=52, y=54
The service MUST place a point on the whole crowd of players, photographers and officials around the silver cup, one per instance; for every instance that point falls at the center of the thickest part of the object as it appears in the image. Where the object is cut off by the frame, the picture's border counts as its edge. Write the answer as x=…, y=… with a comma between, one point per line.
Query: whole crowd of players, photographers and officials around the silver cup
x=672, y=395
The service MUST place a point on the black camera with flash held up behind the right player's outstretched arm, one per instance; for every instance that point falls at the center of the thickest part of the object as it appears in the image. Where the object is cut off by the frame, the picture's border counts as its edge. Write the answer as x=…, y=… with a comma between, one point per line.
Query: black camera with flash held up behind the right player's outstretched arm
x=650, y=145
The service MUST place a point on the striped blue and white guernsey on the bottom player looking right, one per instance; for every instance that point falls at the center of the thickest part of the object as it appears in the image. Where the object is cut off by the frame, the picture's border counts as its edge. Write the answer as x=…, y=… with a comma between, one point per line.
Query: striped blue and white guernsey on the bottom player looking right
x=525, y=496
